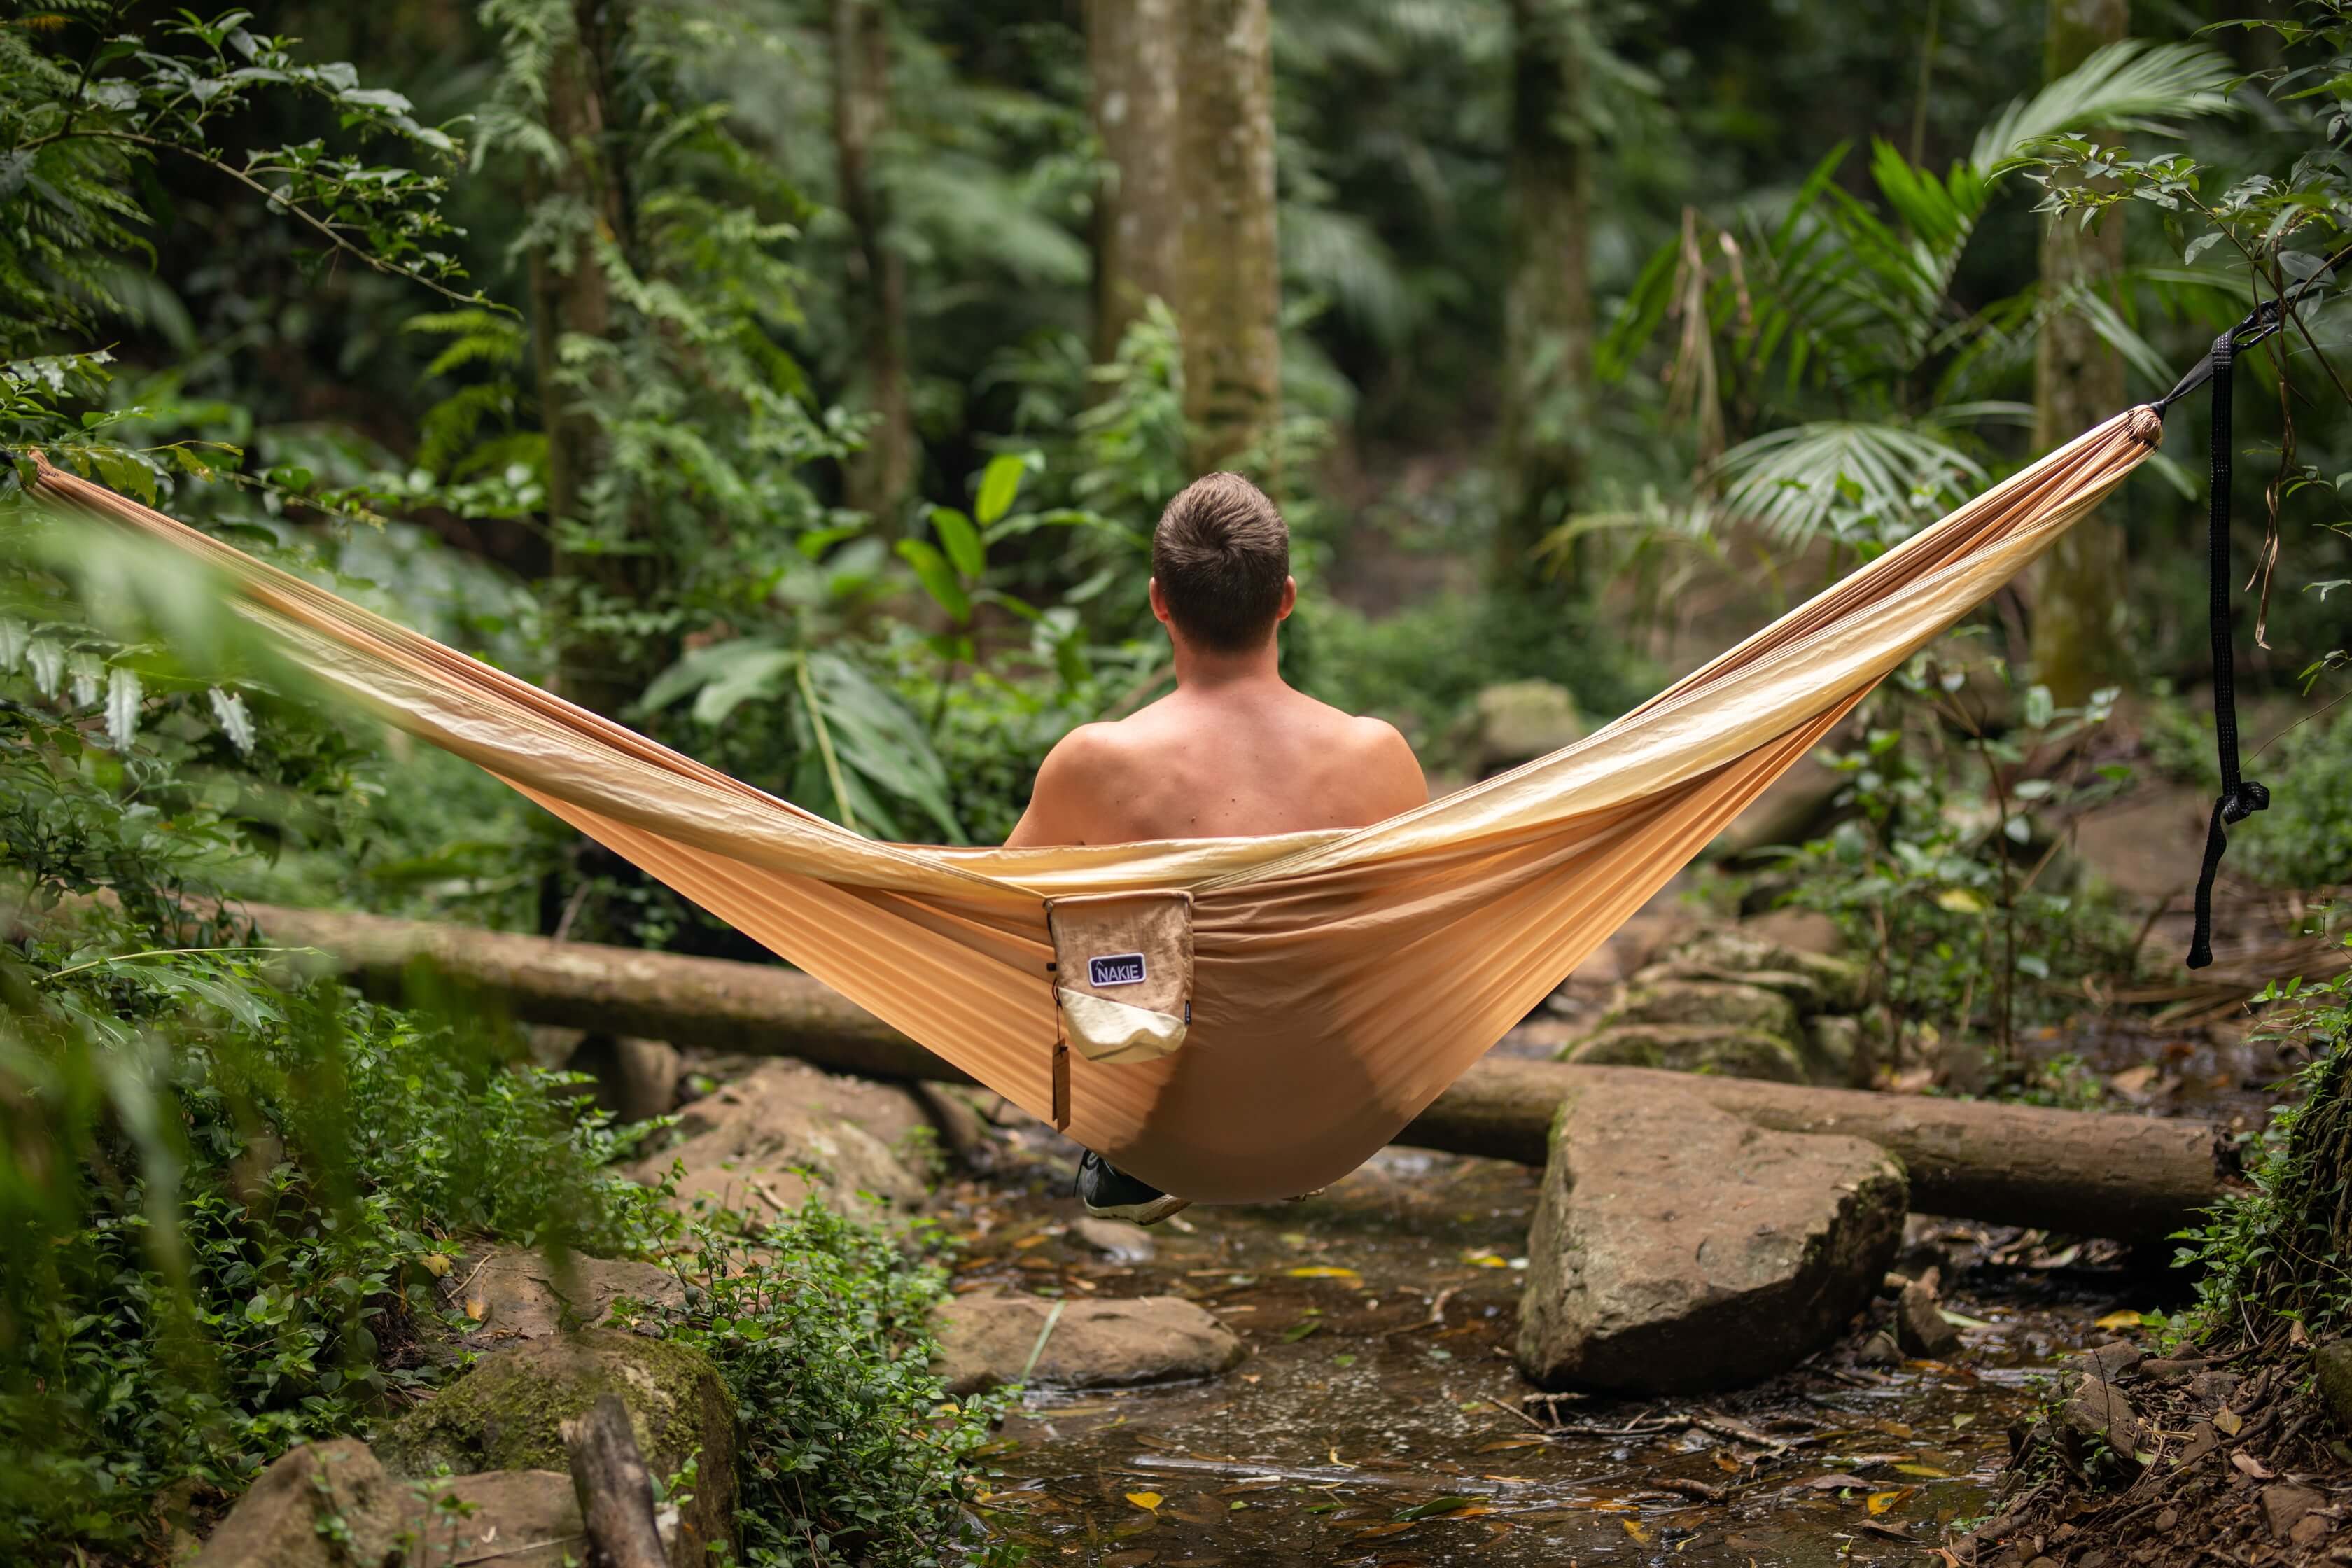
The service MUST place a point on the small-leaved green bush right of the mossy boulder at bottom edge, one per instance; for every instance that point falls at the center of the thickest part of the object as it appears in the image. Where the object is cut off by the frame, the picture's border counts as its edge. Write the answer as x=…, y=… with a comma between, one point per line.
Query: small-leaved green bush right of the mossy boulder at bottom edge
x=853, y=1452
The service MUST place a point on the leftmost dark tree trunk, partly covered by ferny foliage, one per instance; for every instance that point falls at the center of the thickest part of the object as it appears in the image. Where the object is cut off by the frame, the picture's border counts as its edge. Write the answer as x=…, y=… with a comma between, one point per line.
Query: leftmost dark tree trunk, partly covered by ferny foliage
x=573, y=300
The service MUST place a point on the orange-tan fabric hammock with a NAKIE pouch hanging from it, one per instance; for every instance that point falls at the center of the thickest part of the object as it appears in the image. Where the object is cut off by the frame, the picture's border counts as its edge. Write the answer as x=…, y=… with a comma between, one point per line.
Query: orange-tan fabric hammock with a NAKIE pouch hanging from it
x=1337, y=981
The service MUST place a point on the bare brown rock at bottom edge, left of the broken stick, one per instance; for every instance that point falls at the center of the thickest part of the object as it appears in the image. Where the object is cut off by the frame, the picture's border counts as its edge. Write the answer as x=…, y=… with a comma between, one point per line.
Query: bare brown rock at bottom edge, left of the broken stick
x=330, y=1506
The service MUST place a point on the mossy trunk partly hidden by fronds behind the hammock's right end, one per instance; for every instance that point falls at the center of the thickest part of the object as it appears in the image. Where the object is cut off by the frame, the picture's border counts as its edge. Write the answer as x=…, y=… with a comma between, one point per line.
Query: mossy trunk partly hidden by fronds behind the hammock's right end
x=2078, y=382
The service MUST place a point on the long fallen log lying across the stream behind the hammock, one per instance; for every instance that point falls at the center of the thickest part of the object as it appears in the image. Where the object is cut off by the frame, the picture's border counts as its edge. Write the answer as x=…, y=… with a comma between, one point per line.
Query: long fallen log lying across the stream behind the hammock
x=2017, y=1165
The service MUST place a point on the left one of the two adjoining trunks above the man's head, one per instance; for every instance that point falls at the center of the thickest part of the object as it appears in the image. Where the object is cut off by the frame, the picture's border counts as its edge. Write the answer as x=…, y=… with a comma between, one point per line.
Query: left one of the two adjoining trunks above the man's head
x=1137, y=220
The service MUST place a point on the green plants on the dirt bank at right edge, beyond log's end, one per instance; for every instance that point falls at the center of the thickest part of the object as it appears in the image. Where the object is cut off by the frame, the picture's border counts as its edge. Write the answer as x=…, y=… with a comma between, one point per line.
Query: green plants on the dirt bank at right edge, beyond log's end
x=2283, y=1252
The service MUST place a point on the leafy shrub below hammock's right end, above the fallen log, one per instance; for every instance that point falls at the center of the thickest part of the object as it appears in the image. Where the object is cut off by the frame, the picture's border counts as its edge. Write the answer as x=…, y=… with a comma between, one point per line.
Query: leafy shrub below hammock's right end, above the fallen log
x=1949, y=871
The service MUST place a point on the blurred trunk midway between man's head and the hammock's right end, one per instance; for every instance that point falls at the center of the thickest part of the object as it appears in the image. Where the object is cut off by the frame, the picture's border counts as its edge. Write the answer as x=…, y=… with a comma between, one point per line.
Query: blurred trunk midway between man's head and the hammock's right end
x=1549, y=295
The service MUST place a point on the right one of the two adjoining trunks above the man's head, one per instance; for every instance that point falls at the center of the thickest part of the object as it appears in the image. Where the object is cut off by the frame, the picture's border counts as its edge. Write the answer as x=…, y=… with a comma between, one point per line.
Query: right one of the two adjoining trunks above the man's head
x=1231, y=300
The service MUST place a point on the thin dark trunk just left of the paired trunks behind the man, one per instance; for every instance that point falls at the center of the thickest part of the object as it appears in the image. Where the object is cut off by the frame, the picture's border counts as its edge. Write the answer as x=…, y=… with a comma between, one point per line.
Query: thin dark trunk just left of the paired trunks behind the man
x=883, y=476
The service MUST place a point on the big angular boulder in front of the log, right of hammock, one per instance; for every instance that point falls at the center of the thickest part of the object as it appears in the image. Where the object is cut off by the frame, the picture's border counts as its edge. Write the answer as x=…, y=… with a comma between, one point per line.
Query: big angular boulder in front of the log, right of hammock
x=1681, y=1249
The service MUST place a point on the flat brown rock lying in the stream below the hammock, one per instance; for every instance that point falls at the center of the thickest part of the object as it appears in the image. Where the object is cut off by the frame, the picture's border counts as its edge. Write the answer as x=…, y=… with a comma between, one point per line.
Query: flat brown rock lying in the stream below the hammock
x=987, y=1339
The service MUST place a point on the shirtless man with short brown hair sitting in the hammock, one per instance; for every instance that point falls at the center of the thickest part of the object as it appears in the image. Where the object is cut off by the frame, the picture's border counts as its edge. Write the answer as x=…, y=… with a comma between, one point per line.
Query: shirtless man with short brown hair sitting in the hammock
x=1234, y=751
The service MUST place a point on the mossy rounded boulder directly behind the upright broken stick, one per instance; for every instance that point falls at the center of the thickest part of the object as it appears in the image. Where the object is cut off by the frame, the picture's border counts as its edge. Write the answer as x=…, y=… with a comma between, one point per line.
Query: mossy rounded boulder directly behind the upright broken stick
x=509, y=1412
